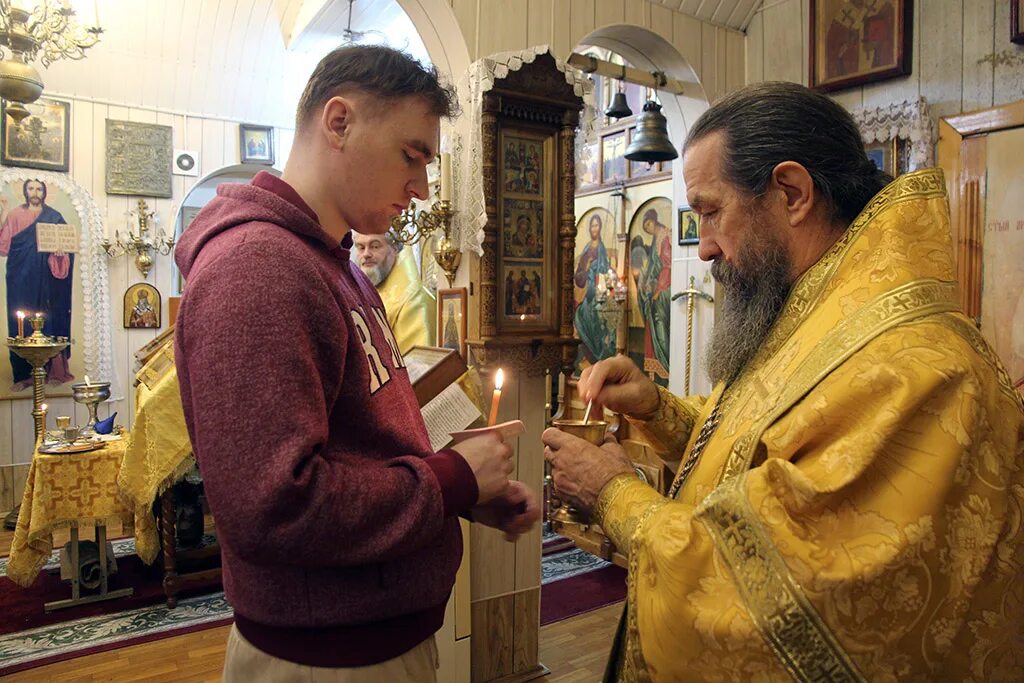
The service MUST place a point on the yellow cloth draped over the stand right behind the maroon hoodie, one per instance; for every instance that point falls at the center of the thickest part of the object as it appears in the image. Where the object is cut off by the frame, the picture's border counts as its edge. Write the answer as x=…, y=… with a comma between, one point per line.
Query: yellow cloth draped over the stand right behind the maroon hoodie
x=158, y=453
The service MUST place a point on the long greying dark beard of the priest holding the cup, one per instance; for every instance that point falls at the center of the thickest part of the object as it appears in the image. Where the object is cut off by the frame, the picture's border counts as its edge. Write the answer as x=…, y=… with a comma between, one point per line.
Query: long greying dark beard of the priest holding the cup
x=756, y=289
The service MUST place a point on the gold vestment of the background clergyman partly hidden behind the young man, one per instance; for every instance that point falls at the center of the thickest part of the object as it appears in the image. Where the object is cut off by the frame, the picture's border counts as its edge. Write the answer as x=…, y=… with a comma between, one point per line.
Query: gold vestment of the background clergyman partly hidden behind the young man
x=412, y=311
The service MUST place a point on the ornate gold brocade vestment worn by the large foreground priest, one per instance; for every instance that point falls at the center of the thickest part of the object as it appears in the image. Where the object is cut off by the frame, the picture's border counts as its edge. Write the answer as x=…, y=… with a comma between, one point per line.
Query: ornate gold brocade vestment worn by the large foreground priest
x=858, y=514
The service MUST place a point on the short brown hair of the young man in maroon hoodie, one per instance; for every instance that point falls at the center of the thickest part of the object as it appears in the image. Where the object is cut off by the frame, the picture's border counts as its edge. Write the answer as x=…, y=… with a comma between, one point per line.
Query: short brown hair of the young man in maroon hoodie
x=386, y=73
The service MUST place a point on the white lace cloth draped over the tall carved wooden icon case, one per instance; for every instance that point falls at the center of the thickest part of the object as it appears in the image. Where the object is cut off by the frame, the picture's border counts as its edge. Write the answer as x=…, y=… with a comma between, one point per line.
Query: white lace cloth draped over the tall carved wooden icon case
x=467, y=155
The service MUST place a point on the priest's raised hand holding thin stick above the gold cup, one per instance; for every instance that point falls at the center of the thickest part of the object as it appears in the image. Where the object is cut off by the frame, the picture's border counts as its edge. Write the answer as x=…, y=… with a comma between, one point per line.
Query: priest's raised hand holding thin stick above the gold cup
x=618, y=385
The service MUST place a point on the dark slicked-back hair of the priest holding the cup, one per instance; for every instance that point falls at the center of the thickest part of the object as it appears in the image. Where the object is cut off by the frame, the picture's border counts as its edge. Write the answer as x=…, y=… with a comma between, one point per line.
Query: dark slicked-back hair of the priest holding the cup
x=766, y=124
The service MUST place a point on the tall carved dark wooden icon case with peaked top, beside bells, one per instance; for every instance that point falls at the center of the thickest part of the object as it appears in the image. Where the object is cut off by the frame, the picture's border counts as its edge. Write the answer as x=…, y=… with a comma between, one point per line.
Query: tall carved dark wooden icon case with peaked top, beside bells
x=534, y=104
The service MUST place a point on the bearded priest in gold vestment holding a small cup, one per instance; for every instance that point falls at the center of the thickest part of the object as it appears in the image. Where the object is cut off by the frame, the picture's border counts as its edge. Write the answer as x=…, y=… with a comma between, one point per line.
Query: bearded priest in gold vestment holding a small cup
x=849, y=502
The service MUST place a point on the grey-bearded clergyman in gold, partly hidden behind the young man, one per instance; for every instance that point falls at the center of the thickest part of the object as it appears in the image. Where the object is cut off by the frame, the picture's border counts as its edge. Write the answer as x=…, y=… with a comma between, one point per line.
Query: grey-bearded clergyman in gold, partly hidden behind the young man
x=411, y=309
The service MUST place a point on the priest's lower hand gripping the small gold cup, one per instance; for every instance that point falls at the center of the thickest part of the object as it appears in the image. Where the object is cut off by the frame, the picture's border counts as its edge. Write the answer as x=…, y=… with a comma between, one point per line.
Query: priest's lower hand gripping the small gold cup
x=581, y=469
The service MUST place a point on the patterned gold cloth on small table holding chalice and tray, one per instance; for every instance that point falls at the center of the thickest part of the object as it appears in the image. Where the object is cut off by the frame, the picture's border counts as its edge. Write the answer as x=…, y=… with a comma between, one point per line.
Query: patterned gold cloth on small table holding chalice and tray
x=65, y=491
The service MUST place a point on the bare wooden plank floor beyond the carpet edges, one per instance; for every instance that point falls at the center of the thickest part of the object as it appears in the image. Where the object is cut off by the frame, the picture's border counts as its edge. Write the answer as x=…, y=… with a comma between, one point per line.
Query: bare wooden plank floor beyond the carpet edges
x=575, y=651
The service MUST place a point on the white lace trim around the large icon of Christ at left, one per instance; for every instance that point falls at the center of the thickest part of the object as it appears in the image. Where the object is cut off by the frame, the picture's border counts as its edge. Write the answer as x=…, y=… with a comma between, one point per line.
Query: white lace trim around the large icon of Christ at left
x=91, y=267
